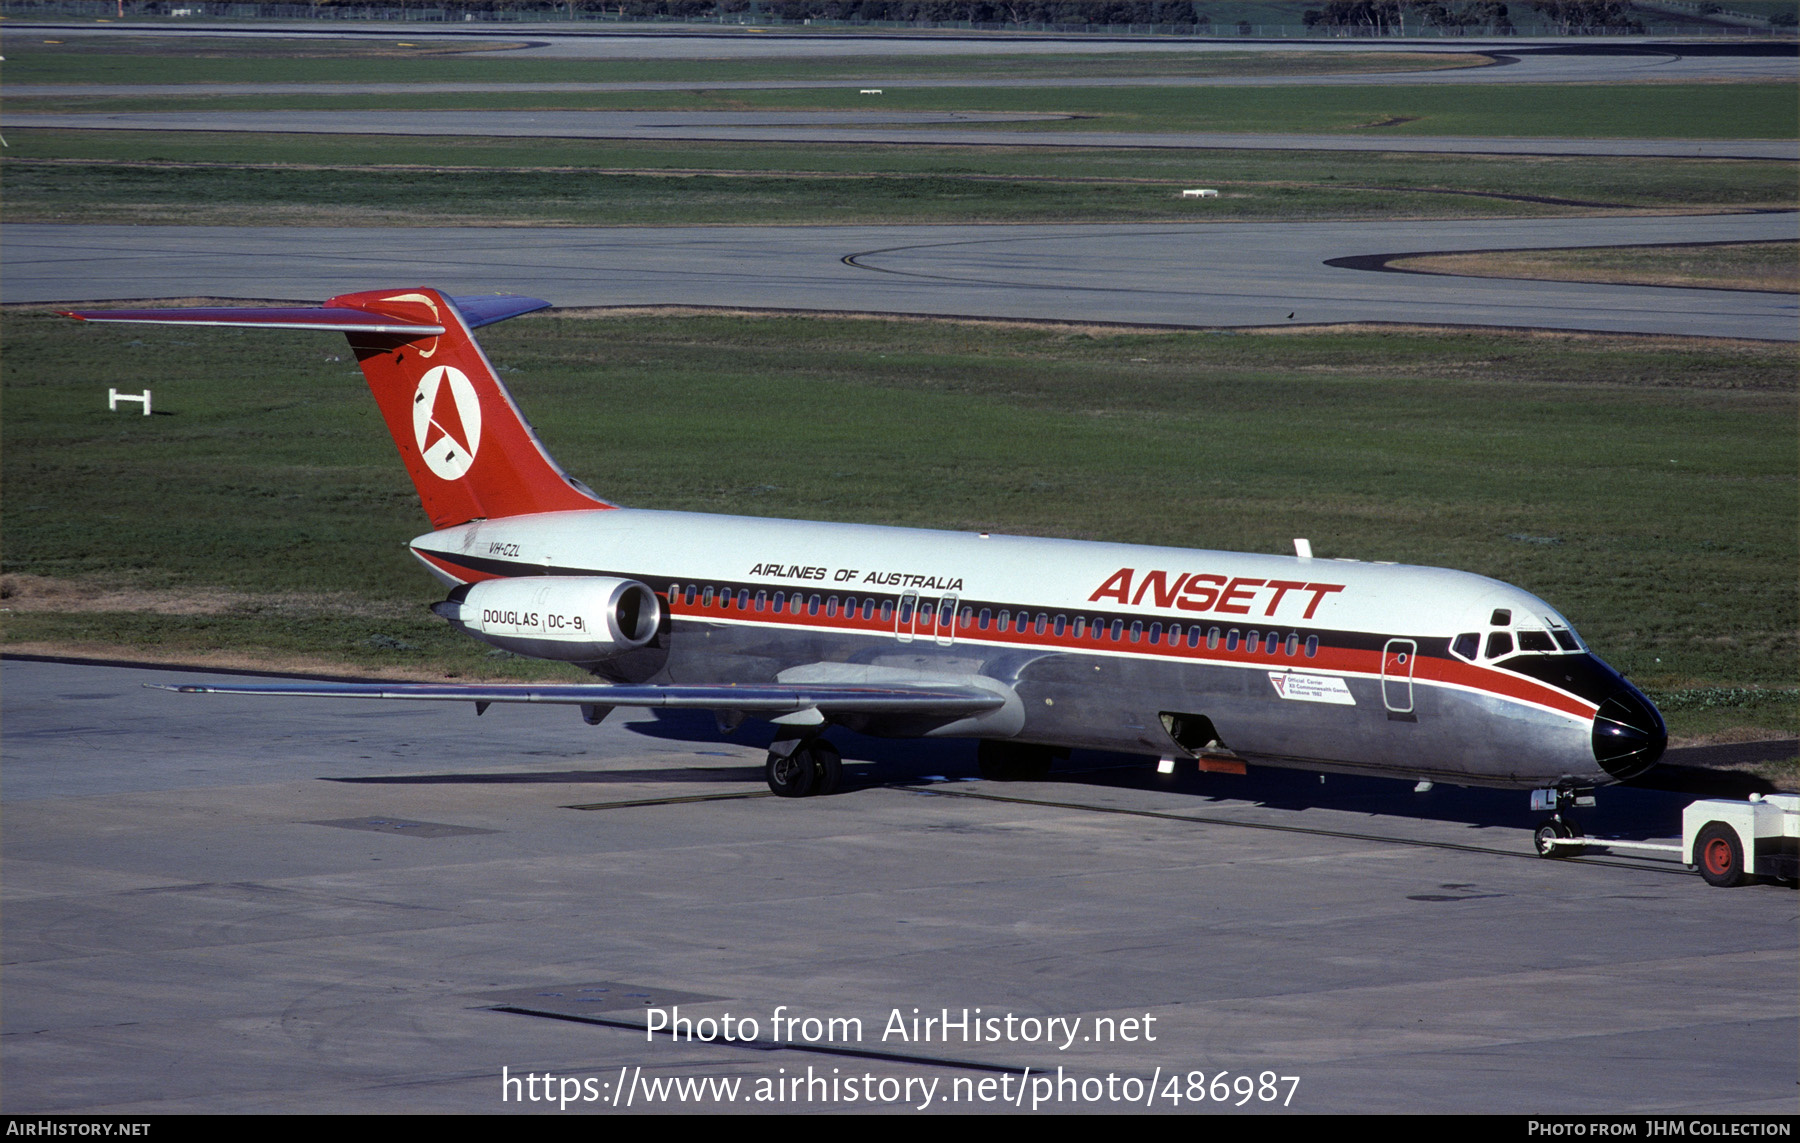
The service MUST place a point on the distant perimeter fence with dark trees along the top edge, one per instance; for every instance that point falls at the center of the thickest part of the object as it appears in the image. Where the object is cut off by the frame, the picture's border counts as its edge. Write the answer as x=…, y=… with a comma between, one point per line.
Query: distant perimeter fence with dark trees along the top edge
x=199, y=10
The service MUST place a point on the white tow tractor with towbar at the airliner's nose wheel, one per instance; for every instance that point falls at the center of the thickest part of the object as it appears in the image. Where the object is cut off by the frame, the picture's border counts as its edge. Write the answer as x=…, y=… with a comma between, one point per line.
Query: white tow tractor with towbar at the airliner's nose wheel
x=1729, y=841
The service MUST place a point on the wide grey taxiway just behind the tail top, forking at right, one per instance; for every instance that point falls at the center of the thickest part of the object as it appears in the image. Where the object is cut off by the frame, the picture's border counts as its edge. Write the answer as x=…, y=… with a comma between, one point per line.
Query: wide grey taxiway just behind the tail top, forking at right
x=1205, y=276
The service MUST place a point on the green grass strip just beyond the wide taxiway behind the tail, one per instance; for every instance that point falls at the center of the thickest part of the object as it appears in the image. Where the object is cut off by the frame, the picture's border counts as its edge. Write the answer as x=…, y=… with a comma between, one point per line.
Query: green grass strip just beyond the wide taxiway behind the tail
x=127, y=177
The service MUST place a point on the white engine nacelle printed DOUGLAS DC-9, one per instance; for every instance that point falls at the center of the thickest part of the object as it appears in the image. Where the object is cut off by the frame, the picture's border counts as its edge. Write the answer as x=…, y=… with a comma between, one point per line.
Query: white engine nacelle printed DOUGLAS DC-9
x=570, y=618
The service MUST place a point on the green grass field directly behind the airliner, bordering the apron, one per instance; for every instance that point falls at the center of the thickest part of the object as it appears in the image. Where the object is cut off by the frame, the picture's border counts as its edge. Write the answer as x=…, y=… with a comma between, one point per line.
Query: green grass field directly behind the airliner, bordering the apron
x=1646, y=487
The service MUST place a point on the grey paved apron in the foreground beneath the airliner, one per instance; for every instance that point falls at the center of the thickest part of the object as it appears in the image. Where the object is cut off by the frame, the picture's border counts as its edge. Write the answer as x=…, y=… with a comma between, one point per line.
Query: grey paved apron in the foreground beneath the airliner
x=233, y=904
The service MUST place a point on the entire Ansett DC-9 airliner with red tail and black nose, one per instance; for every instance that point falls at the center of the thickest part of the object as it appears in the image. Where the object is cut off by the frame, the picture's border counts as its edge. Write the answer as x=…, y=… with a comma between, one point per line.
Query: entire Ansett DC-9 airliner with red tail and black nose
x=1032, y=647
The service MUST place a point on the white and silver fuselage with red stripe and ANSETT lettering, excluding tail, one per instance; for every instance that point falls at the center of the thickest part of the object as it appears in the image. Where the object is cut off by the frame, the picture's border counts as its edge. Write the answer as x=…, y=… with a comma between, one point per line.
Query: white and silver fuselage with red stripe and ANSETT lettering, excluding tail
x=1329, y=665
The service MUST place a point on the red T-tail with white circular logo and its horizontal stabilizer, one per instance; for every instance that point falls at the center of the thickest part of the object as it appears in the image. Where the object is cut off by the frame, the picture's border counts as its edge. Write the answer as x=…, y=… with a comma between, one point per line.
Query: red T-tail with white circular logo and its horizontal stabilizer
x=463, y=440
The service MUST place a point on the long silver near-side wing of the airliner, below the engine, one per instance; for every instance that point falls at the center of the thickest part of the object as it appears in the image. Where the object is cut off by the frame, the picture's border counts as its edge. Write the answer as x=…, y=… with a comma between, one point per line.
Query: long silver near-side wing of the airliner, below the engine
x=773, y=699
